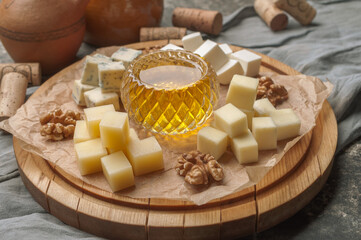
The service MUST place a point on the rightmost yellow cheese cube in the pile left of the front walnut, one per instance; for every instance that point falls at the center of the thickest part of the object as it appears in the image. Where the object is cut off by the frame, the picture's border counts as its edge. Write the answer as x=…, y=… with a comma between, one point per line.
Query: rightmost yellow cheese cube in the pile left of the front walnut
x=145, y=156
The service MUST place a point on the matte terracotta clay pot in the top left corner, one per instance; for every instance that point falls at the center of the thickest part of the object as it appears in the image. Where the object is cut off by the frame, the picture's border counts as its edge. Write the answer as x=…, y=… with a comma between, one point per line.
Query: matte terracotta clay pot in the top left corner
x=46, y=31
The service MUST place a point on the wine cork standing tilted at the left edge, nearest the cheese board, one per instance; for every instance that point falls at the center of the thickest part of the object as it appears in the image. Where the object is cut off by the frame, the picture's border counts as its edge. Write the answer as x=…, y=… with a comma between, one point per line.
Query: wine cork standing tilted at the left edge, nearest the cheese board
x=12, y=93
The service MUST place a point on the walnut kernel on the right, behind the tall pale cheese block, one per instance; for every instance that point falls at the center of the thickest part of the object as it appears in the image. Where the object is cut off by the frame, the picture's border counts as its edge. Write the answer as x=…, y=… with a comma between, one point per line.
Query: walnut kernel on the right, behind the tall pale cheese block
x=275, y=93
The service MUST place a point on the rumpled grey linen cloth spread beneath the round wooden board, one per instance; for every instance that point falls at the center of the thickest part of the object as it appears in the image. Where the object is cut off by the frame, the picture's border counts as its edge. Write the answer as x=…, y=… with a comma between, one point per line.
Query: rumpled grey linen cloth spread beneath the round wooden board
x=330, y=49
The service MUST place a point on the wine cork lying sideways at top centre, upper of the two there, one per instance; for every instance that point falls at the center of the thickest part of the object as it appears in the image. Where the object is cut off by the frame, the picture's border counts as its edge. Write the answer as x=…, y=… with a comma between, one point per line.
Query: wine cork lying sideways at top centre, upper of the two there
x=198, y=20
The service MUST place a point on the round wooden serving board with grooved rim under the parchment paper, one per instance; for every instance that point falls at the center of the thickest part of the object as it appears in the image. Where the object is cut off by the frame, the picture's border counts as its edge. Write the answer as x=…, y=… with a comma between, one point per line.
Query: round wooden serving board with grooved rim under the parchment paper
x=285, y=189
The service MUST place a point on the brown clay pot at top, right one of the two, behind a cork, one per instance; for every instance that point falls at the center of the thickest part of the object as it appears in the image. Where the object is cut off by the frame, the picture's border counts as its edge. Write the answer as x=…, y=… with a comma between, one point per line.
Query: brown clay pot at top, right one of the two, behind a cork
x=117, y=22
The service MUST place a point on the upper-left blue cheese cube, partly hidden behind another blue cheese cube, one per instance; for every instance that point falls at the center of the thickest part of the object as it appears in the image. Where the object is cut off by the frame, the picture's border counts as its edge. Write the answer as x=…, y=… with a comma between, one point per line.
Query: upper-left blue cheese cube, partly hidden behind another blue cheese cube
x=90, y=71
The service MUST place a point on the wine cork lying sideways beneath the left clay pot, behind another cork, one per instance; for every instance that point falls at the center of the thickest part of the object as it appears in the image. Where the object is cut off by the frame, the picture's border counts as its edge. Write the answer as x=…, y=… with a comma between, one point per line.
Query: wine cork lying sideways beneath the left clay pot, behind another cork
x=30, y=70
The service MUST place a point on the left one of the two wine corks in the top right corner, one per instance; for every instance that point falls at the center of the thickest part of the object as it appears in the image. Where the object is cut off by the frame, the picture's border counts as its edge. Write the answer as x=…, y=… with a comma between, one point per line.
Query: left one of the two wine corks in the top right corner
x=274, y=17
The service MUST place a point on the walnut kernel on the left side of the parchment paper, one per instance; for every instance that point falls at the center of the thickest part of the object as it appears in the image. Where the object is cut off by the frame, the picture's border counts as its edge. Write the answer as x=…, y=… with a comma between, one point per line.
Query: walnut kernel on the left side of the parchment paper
x=57, y=125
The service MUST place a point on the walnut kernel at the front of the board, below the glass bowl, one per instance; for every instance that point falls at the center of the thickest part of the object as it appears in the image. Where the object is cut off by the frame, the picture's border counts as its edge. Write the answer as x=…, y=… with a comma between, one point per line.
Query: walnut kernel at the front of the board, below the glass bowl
x=197, y=168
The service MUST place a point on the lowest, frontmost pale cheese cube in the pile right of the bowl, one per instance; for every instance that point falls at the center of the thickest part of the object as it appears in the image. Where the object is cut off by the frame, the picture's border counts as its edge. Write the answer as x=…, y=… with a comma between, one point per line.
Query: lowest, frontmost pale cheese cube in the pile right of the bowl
x=245, y=148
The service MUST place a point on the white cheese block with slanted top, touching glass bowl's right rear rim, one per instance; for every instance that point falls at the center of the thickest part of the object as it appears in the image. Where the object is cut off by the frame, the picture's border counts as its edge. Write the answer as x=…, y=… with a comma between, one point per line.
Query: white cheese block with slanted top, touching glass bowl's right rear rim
x=213, y=54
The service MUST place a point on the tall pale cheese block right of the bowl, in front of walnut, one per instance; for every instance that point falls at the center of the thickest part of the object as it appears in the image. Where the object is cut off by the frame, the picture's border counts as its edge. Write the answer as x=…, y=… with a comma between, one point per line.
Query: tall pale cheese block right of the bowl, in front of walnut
x=242, y=92
